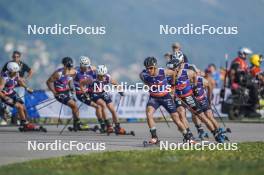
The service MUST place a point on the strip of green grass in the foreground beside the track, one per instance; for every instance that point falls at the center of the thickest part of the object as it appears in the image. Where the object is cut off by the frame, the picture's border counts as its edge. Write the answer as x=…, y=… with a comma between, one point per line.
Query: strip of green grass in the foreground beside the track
x=248, y=160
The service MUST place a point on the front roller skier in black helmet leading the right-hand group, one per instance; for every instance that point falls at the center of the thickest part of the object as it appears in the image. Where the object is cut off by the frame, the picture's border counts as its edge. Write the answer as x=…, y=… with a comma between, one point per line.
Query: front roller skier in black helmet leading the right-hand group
x=156, y=79
